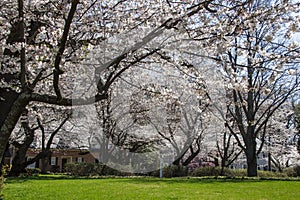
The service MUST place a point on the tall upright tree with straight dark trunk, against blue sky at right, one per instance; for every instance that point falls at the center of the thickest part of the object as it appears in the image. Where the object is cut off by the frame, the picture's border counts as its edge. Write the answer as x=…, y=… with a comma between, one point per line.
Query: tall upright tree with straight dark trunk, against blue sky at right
x=260, y=66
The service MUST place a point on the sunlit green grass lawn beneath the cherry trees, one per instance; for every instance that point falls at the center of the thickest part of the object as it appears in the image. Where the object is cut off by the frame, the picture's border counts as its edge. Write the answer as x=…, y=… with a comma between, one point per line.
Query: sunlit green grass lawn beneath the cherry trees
x=55, y=187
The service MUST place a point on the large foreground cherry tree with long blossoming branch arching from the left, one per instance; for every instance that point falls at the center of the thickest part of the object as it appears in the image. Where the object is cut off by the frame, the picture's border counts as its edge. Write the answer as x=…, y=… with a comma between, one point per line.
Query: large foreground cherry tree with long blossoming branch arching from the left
x=45, y=42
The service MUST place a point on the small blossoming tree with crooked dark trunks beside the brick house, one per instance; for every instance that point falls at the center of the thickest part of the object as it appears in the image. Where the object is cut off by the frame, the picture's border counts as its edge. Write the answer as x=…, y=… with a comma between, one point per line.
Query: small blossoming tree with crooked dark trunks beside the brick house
x=27, y=136
